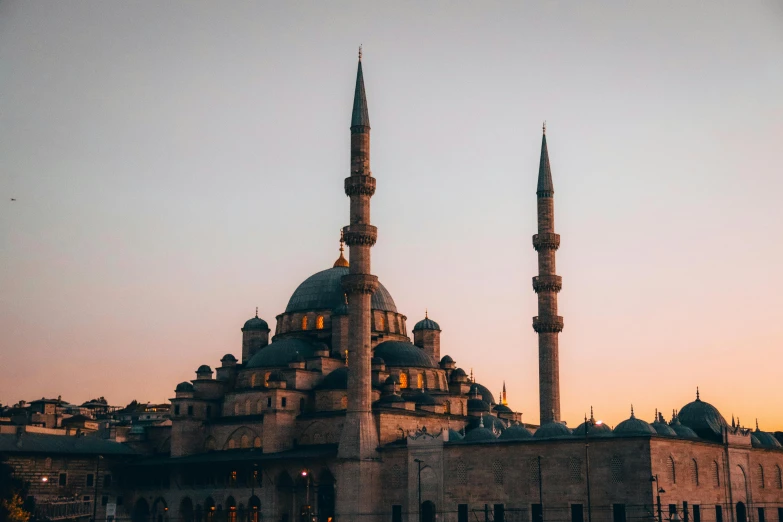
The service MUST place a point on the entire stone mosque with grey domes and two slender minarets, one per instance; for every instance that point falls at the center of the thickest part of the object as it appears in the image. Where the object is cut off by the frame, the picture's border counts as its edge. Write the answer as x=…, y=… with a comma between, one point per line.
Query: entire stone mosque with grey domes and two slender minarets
x=343, y=415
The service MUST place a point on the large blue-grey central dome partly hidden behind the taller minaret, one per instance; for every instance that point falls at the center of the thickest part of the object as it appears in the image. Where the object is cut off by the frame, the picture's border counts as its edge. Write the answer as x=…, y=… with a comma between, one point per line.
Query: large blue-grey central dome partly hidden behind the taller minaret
x=323, y=291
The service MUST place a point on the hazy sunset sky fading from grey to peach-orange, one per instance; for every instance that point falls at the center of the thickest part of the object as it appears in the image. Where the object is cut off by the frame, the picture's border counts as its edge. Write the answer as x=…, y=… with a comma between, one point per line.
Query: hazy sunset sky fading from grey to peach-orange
x=177, y=164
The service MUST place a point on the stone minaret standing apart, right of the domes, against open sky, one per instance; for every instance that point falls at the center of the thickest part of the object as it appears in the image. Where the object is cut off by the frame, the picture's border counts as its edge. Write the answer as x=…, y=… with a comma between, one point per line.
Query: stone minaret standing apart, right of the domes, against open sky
x=547, y=284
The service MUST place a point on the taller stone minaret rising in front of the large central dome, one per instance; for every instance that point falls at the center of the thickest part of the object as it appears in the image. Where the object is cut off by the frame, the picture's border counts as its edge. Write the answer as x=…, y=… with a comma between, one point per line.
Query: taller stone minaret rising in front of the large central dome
x=359, y=439
